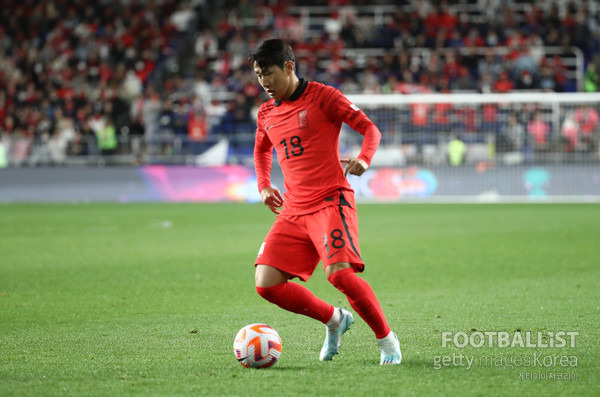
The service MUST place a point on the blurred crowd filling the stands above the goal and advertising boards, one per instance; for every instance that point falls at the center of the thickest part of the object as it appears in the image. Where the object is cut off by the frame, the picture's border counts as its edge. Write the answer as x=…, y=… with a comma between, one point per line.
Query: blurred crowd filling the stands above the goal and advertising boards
x=138, y=76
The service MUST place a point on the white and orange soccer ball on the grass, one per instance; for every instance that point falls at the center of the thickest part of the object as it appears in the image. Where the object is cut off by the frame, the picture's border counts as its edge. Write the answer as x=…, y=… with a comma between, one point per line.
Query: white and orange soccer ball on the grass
x=257, y=346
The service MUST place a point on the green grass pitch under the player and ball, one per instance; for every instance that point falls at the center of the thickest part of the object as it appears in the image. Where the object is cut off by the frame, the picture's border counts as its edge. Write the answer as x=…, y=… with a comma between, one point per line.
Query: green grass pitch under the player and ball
x=145, y=299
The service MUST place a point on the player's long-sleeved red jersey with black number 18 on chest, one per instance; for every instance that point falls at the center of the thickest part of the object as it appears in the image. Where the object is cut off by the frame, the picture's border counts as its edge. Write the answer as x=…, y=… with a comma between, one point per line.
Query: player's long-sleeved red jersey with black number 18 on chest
x=305, y=130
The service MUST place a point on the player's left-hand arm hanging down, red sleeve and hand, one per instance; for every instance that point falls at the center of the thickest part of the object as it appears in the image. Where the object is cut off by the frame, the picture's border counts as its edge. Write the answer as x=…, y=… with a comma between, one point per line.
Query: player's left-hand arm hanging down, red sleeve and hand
x=263, y=160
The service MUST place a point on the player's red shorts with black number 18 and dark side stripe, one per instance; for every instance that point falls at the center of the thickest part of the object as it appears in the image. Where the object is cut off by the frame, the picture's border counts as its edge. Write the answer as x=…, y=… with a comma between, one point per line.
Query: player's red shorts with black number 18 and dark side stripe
x=296, y=244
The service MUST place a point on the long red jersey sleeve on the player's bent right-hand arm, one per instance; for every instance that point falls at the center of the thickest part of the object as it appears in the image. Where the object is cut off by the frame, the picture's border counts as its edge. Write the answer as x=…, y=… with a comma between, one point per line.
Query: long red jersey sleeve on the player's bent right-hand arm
x=340, y=108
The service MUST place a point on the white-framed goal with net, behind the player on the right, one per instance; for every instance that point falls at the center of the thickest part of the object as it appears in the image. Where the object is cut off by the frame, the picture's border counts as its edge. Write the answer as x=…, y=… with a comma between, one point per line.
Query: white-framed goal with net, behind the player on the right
x=496, y=147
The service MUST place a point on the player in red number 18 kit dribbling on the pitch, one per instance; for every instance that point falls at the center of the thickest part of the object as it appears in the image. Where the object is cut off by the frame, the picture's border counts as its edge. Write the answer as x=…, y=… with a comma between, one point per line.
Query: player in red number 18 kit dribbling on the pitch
x=317, y=218
